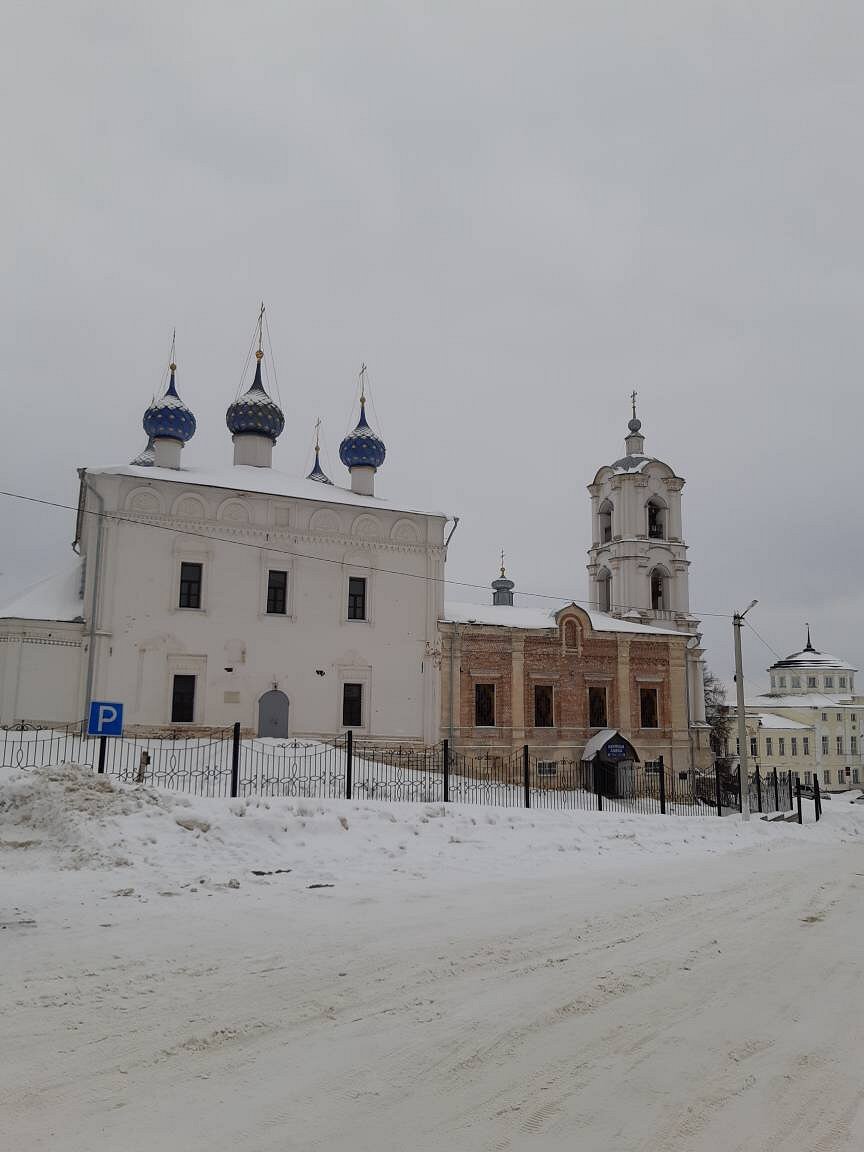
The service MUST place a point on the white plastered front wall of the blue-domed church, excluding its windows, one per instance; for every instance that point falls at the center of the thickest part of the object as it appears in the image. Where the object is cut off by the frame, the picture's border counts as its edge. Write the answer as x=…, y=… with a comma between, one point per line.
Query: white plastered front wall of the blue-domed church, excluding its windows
x=233, y=647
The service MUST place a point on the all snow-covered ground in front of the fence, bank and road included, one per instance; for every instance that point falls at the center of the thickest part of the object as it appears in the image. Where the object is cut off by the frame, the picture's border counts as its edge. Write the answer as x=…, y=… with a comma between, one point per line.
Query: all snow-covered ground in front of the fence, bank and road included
x=421, y=977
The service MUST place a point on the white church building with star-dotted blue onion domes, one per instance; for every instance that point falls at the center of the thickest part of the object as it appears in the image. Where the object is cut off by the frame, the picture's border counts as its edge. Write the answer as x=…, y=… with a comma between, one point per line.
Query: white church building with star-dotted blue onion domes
x=208, y=597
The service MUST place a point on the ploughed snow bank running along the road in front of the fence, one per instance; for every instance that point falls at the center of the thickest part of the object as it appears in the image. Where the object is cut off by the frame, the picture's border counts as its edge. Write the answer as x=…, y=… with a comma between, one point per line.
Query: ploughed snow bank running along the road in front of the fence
x=69, y=816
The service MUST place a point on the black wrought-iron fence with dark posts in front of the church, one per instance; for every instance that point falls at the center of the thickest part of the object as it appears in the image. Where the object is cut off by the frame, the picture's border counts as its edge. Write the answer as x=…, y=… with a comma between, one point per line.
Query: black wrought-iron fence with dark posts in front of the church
x=225, y=766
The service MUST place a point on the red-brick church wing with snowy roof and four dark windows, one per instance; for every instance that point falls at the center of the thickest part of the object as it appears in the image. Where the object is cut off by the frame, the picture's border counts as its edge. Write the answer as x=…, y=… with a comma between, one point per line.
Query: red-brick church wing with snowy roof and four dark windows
x=551, y=680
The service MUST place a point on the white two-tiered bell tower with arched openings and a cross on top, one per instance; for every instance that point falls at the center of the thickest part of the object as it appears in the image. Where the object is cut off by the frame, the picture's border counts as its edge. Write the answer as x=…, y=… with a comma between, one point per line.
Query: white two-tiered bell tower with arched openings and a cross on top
x=638, y=564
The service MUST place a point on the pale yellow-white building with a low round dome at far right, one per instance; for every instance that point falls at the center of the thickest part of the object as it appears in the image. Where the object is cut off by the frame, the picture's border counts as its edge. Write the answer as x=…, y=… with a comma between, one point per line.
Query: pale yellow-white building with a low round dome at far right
x=810, y=722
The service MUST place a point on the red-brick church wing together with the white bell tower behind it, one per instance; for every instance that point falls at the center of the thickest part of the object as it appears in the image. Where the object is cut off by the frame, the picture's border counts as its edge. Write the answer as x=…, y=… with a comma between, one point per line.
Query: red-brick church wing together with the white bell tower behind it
x=630, y=662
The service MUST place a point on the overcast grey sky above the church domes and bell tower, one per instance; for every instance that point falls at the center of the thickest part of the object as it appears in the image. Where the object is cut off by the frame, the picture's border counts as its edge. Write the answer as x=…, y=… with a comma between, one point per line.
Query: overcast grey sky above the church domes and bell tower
x=513, y=214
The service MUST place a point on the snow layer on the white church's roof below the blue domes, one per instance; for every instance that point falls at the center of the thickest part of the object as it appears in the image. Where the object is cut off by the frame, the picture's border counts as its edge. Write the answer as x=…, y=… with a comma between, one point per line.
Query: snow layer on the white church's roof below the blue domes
x=266, y=481
